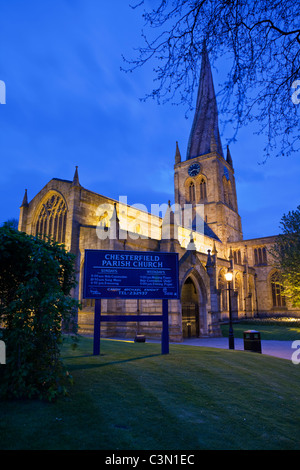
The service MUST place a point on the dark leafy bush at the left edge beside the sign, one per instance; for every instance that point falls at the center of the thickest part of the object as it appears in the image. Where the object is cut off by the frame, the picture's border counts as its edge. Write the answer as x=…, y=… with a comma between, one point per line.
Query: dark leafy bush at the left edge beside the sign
x=36, y=279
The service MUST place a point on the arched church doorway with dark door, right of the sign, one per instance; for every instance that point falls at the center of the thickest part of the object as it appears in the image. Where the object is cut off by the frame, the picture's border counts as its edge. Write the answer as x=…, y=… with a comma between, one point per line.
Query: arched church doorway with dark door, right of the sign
x=190, y=309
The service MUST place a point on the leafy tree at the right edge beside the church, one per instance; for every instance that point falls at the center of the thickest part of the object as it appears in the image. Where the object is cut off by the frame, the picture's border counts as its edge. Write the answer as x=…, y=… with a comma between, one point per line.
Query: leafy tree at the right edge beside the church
x=286, y=253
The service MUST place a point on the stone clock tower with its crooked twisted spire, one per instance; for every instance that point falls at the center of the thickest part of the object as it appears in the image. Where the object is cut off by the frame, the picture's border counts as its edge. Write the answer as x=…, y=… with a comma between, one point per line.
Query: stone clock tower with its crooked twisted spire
x=205, y=180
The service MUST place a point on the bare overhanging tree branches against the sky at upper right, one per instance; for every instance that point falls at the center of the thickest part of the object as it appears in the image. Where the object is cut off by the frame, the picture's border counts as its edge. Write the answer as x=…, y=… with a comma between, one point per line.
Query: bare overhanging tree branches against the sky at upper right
x=261, y=41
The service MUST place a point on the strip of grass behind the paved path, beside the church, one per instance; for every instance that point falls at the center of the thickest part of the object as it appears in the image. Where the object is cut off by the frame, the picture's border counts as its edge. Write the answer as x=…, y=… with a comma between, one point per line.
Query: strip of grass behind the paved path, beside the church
x=279, y=331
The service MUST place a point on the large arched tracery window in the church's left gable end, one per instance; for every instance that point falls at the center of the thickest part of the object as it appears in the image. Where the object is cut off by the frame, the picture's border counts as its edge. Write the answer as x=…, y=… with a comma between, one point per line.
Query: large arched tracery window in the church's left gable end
x=52, y=219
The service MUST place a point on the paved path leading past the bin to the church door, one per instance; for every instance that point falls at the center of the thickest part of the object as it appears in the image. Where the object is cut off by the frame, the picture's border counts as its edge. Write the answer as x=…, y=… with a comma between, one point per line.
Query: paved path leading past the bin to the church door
x=281, y=349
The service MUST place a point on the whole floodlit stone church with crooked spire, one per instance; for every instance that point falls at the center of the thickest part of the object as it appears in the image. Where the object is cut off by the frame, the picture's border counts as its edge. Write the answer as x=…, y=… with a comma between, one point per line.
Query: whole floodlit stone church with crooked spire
x=203, y=226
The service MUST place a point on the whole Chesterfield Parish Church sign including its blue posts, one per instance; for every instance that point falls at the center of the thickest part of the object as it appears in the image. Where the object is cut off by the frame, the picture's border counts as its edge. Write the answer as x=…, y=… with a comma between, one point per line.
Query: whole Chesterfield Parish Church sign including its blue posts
x=130, y=275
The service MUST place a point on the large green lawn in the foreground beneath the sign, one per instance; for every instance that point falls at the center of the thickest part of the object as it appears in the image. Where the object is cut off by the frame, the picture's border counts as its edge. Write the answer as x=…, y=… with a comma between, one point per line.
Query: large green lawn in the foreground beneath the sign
x=131, y=397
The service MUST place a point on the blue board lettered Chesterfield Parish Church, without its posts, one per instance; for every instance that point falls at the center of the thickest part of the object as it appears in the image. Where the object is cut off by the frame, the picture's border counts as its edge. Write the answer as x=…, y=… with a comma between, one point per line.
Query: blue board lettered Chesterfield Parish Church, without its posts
x=130, y=274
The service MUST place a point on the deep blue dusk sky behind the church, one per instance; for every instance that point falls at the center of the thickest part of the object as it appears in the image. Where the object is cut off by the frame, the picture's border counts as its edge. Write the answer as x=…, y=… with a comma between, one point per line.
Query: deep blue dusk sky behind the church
x=68, y=103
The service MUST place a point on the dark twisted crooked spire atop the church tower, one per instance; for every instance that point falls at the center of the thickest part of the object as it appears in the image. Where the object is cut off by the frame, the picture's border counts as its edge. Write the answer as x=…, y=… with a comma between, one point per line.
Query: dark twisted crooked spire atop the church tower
x=205, y=136
